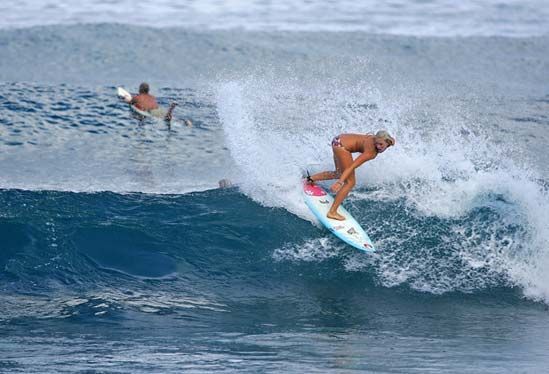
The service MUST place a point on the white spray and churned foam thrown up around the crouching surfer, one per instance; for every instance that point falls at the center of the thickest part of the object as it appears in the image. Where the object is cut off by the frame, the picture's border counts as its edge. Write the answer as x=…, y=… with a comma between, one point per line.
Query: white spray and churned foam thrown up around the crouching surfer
x=471, y=213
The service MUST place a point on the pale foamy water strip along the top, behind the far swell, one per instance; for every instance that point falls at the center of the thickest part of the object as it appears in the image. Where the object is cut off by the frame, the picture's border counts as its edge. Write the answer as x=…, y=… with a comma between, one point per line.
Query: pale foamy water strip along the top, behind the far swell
x=401, y=17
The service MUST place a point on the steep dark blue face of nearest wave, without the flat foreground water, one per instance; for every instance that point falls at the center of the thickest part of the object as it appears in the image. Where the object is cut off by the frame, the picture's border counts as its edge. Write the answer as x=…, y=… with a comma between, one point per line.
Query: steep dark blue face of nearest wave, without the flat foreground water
x=202, y=243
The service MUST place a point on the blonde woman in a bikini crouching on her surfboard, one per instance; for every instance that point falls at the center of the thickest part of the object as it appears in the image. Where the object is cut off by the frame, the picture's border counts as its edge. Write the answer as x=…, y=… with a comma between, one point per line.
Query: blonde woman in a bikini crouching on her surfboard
x=343, y=146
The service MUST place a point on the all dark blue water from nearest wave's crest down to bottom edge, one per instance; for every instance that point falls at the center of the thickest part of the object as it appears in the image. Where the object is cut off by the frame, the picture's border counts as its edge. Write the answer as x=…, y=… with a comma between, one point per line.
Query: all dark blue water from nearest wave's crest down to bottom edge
x=215, y=279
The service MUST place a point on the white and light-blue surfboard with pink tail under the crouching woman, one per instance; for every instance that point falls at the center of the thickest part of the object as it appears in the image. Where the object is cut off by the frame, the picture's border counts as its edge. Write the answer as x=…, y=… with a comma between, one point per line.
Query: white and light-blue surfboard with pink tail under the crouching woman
x=319, y=202
